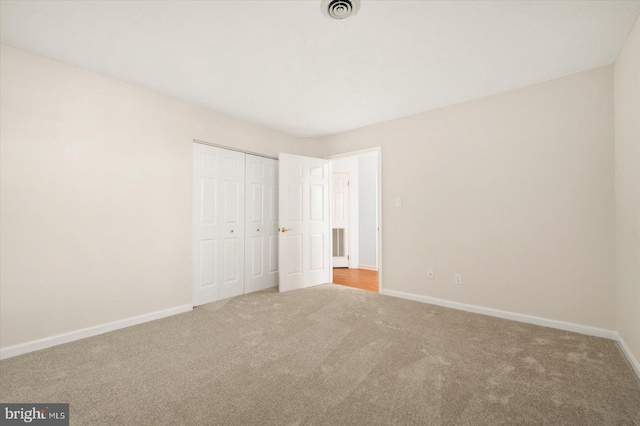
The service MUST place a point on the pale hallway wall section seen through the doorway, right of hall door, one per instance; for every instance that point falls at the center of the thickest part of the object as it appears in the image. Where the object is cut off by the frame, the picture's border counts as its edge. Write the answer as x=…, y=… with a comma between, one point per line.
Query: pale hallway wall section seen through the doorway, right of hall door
x=368, y=210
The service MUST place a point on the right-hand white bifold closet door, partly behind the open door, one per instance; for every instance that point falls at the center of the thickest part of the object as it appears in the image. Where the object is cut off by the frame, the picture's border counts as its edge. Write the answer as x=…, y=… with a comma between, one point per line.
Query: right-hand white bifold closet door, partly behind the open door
x=261, y=232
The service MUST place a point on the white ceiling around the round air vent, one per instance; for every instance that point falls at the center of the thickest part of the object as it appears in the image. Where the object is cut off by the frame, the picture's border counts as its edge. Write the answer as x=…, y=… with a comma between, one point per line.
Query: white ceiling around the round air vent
x=284, y=65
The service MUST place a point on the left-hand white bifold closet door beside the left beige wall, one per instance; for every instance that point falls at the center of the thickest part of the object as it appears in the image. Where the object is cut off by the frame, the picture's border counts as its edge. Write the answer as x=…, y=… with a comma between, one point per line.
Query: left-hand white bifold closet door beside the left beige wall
x=218, y=223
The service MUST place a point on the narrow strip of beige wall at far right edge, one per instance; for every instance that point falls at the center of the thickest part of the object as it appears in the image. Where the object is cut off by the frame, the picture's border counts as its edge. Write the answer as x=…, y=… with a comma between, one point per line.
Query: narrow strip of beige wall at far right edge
x=627, y=158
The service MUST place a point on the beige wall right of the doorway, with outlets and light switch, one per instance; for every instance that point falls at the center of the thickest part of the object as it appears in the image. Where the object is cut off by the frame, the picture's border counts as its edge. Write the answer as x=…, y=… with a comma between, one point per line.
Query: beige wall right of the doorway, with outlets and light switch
x=515, y=191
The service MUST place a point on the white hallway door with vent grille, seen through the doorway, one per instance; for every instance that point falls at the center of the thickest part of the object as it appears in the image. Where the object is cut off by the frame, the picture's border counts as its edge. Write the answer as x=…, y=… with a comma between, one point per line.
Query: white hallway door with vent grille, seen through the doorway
x=340, y=219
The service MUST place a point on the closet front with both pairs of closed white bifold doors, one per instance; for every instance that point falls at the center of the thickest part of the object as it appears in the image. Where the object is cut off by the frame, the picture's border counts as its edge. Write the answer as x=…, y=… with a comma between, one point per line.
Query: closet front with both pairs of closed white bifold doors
x=235, y=223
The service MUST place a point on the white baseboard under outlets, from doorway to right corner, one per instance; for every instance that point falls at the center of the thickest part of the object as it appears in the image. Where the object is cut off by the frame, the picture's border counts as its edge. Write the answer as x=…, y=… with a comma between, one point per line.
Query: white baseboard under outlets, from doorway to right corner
x=561, y=325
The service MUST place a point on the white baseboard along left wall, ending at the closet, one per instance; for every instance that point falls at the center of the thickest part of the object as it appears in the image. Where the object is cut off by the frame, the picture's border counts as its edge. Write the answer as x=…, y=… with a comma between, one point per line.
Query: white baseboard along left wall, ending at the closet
x=47, y=342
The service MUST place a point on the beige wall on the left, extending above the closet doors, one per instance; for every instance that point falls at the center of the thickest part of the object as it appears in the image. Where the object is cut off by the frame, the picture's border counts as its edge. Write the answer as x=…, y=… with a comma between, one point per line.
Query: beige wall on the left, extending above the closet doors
x=96, y=195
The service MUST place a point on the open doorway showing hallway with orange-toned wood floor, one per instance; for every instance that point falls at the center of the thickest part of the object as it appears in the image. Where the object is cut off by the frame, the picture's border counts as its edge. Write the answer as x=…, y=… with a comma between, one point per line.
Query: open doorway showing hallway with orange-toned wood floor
x=355, y=221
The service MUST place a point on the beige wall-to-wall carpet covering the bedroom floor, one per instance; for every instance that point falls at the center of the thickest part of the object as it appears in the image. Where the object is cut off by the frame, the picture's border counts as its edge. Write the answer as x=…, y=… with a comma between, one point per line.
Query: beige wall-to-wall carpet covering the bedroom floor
x=330, y=355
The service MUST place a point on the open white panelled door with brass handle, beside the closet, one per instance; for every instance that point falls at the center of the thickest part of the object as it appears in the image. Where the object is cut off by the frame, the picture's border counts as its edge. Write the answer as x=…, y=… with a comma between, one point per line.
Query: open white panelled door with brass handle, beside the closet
x=304, y=255
